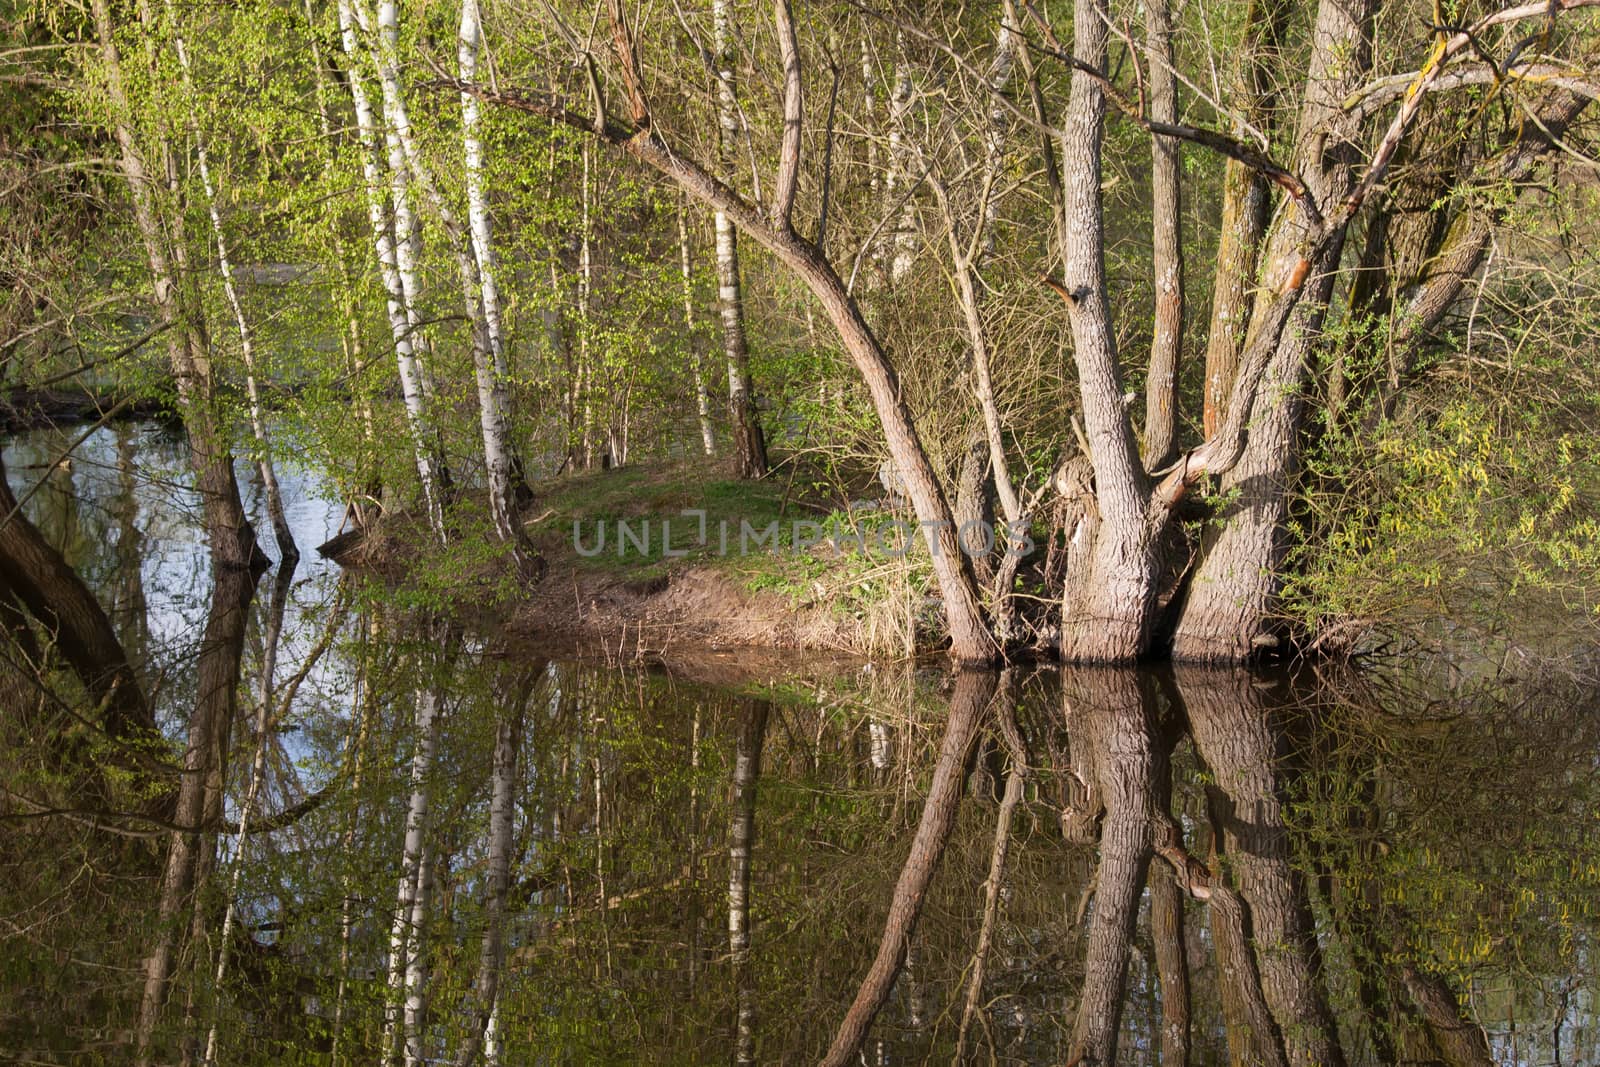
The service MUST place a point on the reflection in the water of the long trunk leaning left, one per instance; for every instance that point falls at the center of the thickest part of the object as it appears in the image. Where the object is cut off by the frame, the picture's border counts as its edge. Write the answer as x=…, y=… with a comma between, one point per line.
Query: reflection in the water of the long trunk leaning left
x=974, y=692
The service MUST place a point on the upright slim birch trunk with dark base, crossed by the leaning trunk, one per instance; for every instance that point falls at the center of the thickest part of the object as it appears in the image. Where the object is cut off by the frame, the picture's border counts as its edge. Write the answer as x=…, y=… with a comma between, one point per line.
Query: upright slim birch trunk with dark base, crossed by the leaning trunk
x=750, y=444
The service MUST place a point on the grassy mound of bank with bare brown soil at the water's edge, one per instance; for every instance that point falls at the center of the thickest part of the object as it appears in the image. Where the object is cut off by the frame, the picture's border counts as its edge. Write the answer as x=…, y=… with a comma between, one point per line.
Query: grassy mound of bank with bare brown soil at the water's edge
x=682, y=562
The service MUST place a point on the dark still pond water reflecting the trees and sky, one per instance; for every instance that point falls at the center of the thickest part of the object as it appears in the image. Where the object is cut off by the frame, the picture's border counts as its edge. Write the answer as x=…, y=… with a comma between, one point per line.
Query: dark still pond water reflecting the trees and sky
x=871, y=865
